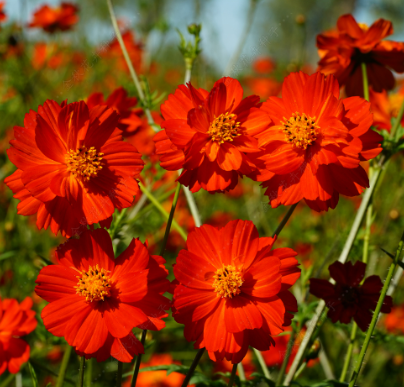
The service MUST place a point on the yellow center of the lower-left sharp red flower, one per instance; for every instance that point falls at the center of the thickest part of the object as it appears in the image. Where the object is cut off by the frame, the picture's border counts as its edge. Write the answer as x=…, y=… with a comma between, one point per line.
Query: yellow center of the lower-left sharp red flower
x=94, y=284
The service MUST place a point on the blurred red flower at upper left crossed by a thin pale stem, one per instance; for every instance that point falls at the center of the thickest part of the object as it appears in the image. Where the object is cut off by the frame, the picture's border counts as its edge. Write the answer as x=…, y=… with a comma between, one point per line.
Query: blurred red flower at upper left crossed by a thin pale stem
x=112, y=50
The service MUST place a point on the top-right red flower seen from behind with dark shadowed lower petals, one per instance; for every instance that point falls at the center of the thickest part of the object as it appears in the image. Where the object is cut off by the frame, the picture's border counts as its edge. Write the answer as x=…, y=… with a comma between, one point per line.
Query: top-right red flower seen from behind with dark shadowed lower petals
x=343, y=50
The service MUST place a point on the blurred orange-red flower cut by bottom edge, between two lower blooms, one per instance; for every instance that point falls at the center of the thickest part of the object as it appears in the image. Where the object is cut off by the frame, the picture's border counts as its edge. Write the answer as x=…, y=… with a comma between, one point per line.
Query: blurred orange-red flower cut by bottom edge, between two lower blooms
x=158, y=378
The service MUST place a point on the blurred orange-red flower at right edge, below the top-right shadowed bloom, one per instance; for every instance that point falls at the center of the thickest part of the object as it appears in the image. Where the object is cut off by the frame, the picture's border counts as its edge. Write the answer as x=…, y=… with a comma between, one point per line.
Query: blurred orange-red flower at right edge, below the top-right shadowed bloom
x=385, y=107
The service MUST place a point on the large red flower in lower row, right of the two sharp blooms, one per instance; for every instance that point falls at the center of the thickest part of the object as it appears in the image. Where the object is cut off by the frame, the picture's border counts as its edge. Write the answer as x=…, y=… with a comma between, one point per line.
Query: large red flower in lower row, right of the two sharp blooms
x=232, y=290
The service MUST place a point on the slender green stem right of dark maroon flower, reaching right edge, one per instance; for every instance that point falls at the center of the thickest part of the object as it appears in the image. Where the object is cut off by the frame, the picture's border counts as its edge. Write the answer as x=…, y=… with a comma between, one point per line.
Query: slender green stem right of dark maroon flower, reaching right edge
x=375, y=317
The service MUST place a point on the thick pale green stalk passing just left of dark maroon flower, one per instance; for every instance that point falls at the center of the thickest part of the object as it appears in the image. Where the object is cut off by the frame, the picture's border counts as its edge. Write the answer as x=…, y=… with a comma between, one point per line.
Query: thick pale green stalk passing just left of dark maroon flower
x=311, y=327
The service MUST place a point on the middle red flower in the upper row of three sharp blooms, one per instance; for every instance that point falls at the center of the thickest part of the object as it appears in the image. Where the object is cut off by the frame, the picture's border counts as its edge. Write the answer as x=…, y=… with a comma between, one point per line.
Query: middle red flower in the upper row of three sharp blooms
x=210, y=135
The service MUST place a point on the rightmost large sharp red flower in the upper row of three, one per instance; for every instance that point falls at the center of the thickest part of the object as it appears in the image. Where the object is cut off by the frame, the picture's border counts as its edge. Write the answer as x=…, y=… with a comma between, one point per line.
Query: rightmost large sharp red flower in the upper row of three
x=315, y=143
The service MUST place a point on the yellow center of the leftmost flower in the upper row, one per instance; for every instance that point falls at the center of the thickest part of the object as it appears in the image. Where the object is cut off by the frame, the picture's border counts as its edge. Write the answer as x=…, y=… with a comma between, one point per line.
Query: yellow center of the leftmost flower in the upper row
x=84, y=163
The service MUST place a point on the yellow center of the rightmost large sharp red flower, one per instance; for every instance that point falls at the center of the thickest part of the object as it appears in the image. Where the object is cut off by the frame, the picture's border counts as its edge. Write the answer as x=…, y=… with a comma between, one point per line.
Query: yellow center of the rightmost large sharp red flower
x=300, y=130
